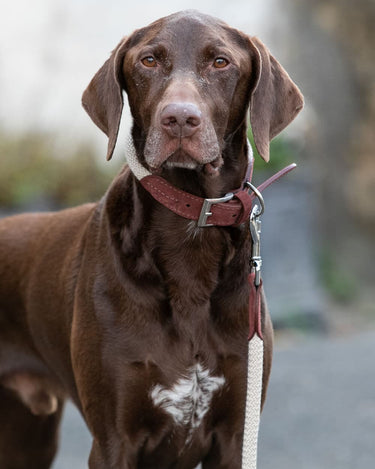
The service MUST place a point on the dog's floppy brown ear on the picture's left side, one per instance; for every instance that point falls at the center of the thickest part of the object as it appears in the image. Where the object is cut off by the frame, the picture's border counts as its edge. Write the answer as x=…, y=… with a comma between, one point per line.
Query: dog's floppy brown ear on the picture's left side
x=103, y=100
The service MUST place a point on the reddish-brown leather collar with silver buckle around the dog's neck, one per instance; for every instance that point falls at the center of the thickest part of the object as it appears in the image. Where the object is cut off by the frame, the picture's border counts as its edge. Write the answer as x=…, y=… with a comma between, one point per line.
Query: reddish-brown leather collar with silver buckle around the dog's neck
x=230, y=210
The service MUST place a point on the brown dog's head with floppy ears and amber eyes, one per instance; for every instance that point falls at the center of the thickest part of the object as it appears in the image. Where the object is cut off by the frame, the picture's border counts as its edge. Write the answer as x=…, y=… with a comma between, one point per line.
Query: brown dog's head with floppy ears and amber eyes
x=190, y=79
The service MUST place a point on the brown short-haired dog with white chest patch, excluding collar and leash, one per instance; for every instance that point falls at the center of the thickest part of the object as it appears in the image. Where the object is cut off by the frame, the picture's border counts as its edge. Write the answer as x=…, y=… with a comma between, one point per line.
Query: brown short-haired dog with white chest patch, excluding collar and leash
x=133, y=312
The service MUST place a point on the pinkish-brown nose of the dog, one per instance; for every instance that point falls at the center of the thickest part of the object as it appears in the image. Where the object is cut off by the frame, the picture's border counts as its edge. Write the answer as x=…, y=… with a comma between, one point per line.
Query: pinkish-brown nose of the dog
x=181, y=119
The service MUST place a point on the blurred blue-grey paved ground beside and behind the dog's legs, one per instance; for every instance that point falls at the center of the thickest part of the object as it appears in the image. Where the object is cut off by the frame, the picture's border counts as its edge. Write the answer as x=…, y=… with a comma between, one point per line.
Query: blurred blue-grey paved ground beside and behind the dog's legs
x=320, y=412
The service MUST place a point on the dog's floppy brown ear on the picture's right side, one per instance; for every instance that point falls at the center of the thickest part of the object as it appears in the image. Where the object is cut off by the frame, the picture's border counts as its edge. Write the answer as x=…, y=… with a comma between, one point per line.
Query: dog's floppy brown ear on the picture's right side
x=275, y=100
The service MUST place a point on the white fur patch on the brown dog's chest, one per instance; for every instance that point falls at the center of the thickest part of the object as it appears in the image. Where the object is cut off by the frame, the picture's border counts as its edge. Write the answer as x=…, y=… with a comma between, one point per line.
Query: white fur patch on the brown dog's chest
x=189, y=399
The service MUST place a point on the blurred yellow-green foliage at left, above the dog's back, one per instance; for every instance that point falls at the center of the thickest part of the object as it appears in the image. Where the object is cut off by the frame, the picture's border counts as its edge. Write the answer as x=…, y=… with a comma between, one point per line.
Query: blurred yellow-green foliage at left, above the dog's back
x=33, y=171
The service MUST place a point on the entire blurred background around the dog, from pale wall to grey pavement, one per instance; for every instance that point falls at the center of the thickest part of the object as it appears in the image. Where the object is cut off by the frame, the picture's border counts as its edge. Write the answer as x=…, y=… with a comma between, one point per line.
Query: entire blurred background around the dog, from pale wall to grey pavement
x=319, y=225
